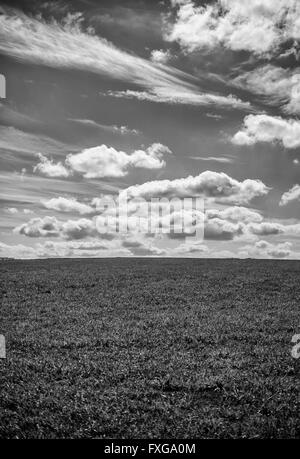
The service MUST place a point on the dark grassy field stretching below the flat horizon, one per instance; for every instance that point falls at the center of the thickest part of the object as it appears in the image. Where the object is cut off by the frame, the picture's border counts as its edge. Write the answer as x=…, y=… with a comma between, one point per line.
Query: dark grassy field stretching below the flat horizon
x=136, y=348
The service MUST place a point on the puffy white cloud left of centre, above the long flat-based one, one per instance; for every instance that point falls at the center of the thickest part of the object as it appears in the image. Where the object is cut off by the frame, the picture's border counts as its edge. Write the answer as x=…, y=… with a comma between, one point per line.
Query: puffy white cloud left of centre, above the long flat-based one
x=104, y=161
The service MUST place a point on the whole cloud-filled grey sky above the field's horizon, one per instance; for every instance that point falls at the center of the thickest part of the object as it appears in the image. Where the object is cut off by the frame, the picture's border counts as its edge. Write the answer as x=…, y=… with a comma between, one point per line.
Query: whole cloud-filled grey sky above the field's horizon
x=160, y=100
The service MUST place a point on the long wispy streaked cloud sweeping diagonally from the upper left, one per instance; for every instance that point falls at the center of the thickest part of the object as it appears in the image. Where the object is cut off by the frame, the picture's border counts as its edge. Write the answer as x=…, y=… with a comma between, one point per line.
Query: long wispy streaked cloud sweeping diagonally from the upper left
x=69, y=45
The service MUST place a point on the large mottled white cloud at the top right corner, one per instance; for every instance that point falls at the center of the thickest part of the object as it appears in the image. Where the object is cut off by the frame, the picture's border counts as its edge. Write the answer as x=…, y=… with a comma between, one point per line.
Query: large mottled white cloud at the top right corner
x=261, y=27
